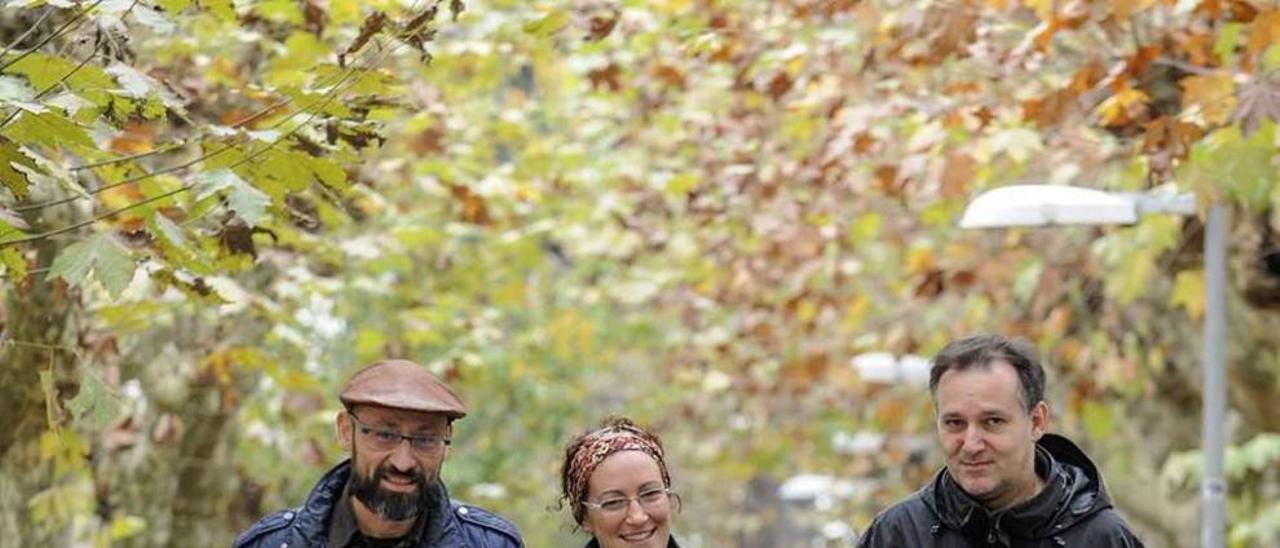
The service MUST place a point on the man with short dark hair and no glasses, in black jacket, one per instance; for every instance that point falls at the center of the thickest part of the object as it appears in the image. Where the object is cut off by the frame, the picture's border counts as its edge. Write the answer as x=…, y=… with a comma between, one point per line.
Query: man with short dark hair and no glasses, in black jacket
x=1007, y=482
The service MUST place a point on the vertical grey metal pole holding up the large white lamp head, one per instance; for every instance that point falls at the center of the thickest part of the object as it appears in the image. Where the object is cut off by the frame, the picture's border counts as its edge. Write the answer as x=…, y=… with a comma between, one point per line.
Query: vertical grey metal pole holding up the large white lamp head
x=1214, y=490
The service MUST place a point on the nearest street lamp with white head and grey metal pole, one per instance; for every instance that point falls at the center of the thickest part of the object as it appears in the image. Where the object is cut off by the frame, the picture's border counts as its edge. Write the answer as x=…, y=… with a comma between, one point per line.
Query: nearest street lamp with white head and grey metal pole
x=1048, y=205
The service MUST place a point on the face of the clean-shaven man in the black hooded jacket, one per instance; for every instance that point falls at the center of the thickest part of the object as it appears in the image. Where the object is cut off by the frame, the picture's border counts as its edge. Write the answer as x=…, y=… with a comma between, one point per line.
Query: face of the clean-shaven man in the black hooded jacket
x=989, y=439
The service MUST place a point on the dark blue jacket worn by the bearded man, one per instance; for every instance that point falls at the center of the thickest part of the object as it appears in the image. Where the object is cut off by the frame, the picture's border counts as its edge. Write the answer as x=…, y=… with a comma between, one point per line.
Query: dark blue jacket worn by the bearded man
x=461, y=526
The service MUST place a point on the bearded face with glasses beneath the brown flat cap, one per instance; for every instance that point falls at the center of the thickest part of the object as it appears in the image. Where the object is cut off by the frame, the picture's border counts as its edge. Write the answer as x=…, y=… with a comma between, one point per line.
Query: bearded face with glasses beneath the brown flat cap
x=394, y=483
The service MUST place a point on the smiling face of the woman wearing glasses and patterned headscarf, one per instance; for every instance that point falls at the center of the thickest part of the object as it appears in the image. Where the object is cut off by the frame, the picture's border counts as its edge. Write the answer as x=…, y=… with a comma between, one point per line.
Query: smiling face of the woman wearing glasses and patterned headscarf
x=621, y=476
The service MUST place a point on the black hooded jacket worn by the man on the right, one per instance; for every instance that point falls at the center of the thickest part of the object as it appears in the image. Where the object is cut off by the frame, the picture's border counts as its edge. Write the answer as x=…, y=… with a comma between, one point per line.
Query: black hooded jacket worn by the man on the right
x=1073, y=510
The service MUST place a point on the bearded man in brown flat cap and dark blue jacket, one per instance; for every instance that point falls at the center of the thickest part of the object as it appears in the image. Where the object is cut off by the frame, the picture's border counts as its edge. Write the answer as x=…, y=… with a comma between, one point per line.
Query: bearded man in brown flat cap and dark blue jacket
x=396, y=423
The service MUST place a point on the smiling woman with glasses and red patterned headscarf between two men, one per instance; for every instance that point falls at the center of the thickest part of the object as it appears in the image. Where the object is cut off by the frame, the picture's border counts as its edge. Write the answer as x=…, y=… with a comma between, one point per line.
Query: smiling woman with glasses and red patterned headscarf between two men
x=616, y=483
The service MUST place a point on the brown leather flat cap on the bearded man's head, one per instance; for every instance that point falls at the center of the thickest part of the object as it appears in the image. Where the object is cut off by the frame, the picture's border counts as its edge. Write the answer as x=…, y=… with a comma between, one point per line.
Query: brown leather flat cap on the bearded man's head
x=401, y=385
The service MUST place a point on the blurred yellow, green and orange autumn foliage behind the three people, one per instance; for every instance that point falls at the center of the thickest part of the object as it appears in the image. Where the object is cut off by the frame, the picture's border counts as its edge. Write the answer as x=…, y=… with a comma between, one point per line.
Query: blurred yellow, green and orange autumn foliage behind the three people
x=702, y=214
